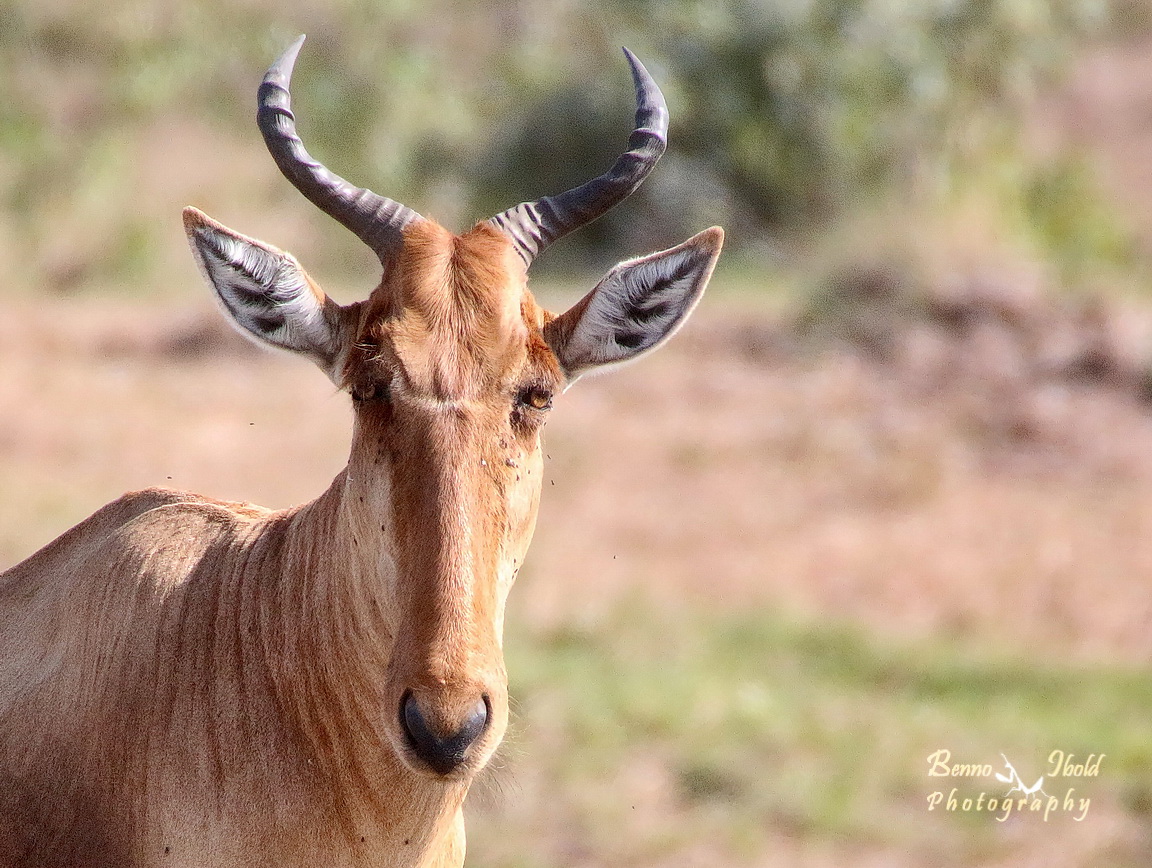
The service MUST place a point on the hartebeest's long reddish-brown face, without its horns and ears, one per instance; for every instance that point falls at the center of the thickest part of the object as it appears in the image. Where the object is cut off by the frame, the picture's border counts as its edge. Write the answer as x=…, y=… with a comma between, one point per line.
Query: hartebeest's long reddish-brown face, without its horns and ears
x=452, y=383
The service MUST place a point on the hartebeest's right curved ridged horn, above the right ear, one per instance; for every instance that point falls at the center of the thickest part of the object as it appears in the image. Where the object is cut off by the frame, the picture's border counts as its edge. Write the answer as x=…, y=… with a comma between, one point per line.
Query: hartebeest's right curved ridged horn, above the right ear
x=535, y=225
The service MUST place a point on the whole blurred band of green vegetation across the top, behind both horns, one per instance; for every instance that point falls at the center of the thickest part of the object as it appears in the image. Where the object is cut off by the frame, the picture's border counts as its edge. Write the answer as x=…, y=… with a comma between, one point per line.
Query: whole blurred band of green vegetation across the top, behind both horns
x=790, y=118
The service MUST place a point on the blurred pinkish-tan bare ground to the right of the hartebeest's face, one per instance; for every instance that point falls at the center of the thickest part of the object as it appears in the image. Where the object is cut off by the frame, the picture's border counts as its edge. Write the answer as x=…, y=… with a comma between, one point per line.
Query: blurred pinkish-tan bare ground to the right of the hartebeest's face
x=919, y=497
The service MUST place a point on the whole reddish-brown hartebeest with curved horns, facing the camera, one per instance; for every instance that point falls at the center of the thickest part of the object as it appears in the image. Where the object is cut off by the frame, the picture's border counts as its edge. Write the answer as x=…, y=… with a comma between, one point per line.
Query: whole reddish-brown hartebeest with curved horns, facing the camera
x=186, y=682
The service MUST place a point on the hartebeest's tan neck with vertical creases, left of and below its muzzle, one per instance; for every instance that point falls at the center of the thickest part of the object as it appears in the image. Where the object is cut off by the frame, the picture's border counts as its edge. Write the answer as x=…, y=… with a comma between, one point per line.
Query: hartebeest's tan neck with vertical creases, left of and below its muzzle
x=334, y=662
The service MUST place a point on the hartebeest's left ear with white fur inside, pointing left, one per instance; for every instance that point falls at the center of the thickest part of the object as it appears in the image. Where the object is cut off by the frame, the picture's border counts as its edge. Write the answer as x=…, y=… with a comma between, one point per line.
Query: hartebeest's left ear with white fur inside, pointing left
x=266, y=292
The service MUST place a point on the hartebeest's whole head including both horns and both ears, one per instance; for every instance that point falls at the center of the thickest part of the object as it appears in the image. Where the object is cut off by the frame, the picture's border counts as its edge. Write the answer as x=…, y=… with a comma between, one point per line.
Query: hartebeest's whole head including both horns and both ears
x=452, y=368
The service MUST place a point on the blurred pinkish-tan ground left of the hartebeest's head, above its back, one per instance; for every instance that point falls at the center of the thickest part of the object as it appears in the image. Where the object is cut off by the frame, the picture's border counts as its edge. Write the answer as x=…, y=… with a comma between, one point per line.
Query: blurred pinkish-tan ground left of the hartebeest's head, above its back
x=100, y=399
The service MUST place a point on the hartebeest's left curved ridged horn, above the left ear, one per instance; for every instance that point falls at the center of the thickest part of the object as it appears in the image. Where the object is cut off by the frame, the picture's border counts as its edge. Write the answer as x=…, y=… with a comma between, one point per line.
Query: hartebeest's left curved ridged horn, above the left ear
x=378, y=222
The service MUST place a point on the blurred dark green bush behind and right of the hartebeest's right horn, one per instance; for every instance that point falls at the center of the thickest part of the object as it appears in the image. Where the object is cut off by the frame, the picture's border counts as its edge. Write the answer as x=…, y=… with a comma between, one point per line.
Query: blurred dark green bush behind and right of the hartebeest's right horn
x=786, y=115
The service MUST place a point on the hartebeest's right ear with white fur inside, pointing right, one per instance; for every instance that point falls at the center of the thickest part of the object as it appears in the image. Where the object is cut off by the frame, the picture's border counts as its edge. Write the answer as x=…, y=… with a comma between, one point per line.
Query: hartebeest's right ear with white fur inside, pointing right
x=639, y=306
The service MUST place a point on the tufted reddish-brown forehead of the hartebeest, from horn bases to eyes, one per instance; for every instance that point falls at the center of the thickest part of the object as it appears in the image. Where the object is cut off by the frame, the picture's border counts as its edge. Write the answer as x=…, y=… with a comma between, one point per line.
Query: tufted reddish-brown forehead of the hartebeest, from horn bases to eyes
x=452, y=308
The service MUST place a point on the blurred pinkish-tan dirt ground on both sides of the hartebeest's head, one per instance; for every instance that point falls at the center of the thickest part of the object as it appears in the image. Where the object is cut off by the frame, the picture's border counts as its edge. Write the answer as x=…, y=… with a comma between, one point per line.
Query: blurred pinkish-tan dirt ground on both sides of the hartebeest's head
x=981, y=472
